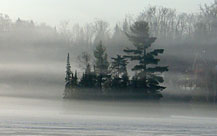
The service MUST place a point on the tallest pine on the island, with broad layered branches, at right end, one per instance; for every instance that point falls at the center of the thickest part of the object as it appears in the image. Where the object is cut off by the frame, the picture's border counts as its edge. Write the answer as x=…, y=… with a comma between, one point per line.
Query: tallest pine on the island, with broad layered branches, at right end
x=148, y=75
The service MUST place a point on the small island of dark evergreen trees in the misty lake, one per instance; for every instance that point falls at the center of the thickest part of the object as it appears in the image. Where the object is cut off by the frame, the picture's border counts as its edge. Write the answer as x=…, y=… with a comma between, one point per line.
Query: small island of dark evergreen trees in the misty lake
x=105, y=80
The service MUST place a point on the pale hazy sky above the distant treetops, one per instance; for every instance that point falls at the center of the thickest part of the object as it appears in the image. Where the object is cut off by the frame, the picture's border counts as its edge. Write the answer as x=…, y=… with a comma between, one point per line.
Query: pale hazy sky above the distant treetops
x=54, y=11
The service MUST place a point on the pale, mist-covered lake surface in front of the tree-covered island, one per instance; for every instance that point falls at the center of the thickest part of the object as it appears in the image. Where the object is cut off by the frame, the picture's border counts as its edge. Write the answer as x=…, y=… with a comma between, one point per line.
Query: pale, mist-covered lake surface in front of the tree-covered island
x=34, y=116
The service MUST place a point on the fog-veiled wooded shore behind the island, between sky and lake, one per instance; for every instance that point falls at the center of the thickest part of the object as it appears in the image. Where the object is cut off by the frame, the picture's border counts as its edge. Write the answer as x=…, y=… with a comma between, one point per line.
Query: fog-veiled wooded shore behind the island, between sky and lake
x=189, y=41
